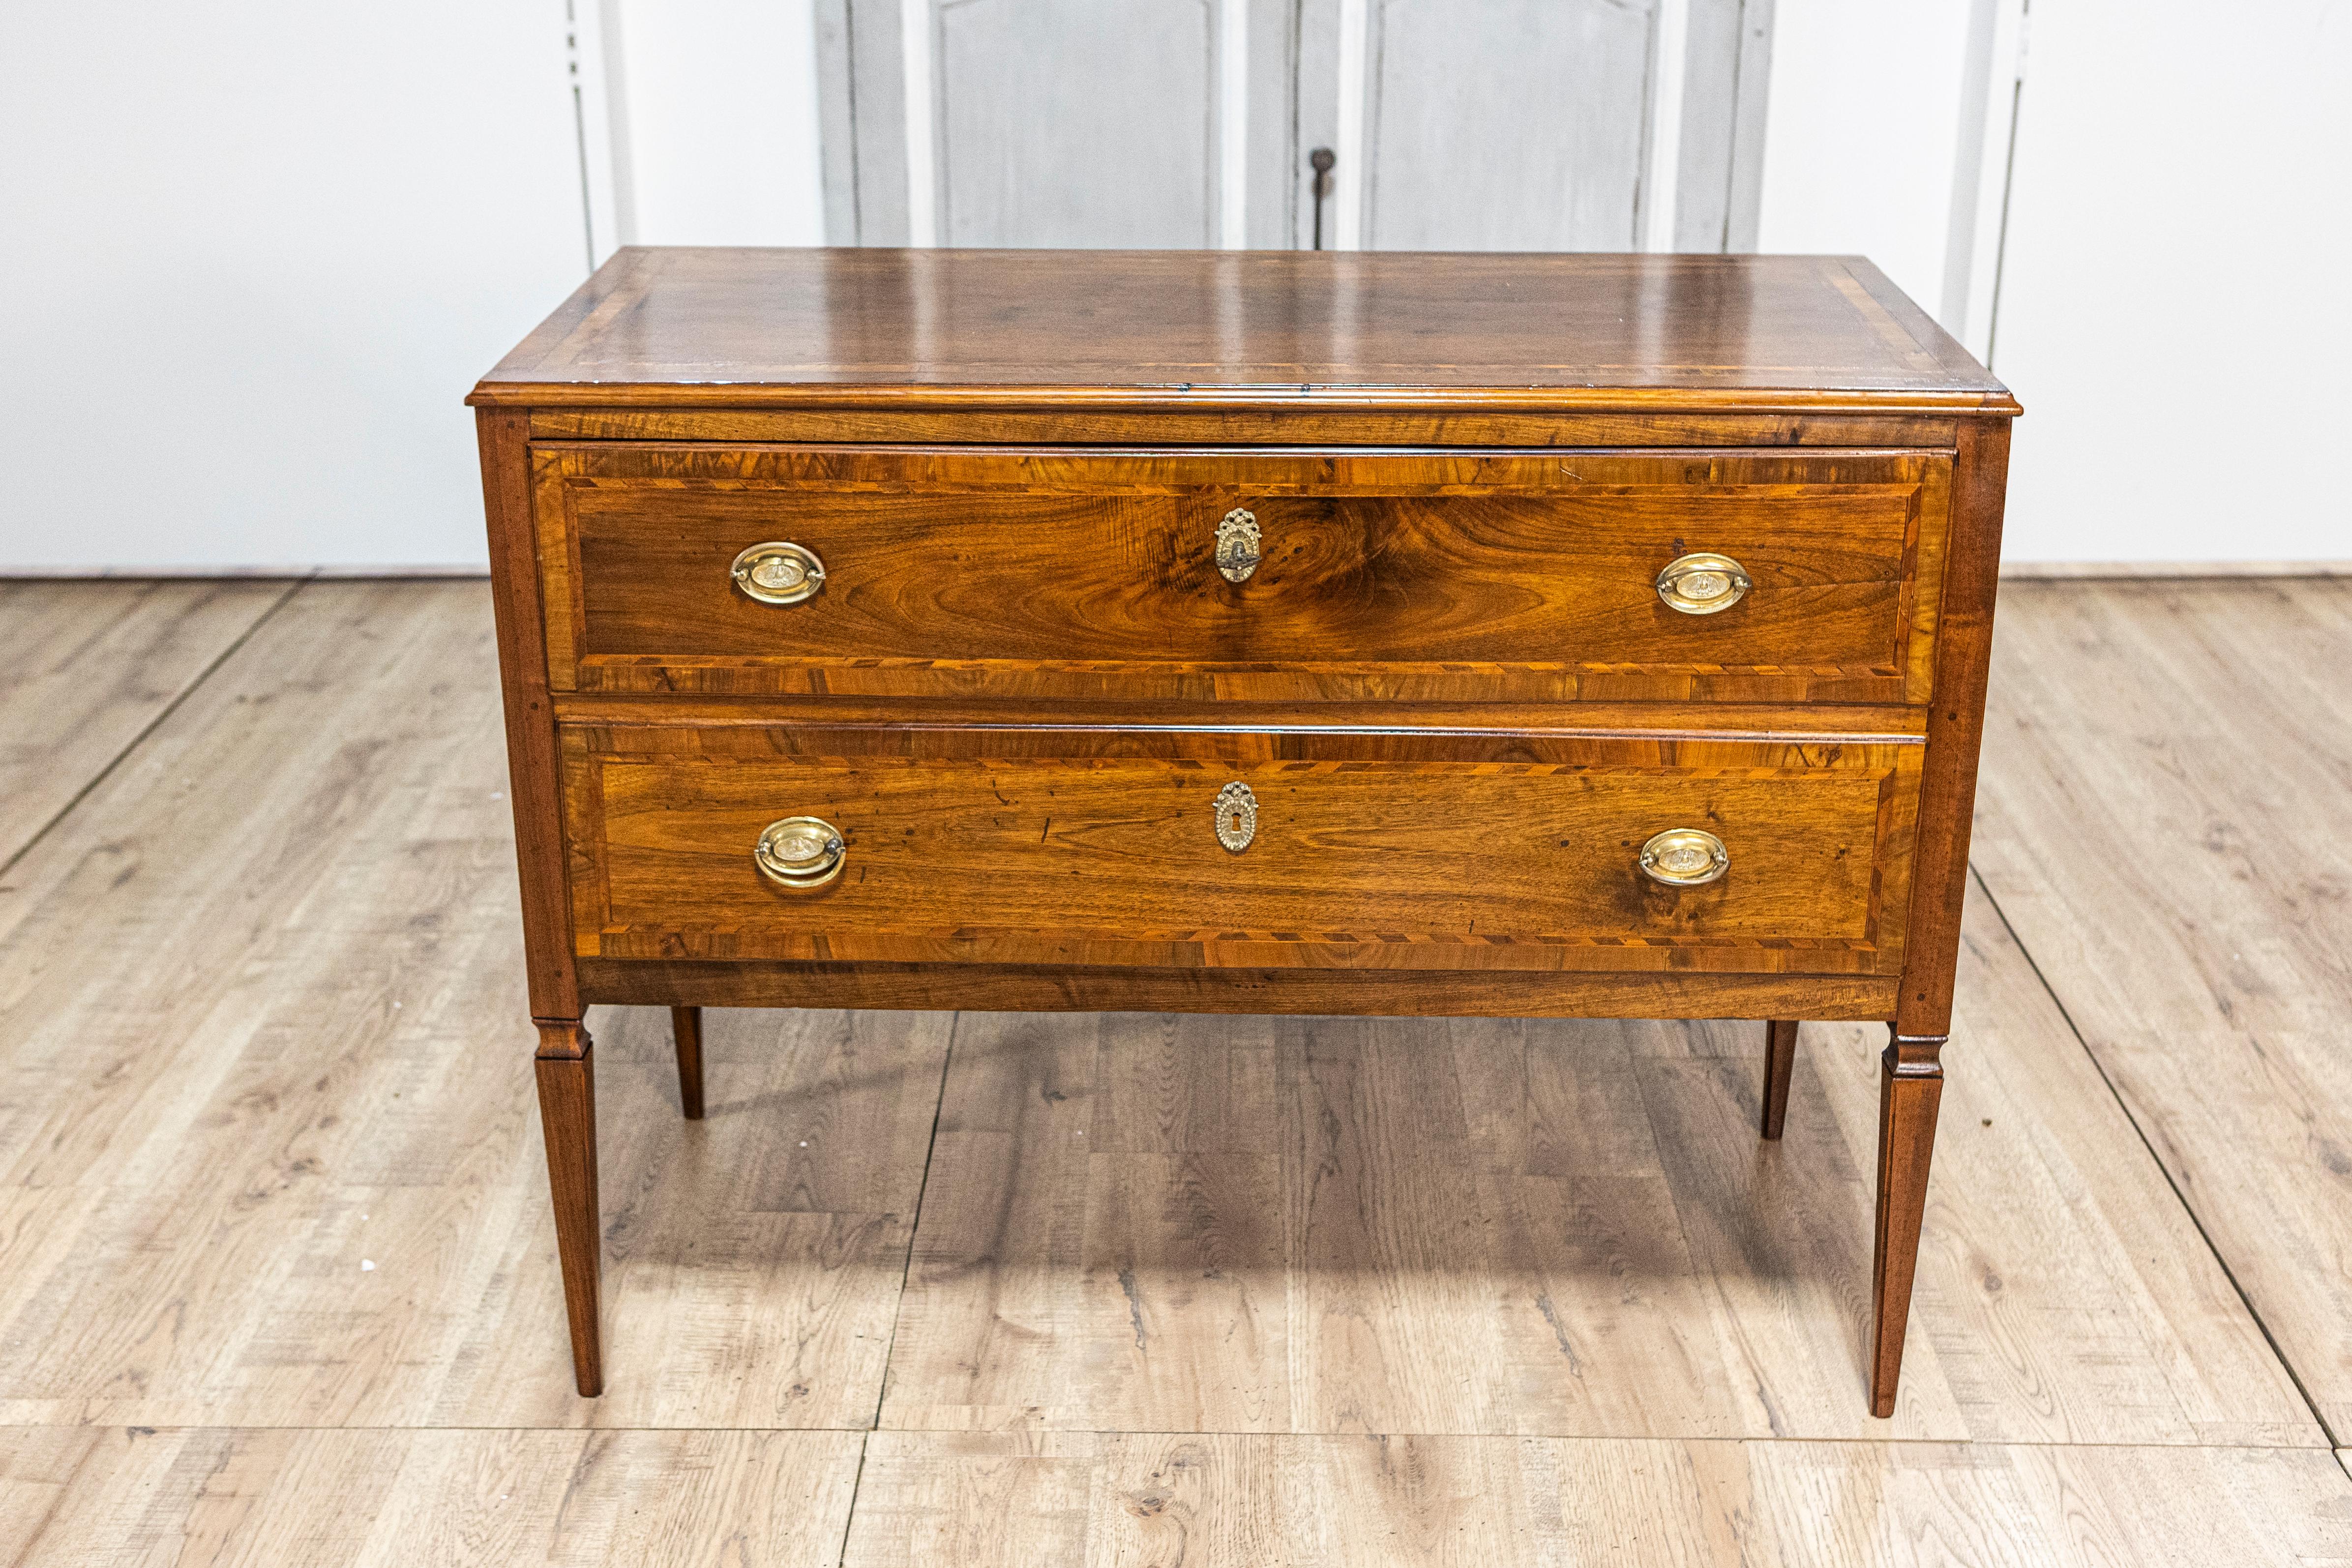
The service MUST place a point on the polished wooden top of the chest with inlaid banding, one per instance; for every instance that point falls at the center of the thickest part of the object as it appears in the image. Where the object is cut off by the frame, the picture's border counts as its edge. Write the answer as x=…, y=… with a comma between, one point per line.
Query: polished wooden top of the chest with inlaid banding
x=944, y=328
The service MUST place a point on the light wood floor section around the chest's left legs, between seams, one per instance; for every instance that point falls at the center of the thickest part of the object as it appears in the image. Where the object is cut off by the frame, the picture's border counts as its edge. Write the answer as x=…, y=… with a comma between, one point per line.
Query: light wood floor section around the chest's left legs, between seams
x=269, y=1151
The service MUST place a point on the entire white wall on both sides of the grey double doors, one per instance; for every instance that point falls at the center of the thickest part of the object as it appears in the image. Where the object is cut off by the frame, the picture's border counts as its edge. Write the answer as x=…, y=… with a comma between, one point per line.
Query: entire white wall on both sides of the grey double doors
x=258, y=253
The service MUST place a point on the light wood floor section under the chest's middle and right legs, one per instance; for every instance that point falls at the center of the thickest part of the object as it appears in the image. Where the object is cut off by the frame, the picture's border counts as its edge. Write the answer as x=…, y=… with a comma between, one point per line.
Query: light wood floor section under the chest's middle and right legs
x=1158, y=1224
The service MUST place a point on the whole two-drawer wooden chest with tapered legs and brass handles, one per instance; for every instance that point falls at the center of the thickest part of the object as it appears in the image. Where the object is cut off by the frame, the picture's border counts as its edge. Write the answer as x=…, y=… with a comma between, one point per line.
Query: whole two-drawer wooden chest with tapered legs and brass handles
x=1288, y=634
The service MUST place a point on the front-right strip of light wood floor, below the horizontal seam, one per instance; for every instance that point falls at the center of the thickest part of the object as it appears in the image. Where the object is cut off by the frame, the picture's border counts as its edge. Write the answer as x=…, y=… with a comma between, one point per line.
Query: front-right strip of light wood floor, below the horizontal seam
x=1229, y=1501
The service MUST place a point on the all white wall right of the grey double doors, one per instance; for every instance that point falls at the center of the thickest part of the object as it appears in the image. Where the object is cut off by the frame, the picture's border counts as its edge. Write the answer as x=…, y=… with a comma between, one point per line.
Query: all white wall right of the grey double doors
x=2172, y=307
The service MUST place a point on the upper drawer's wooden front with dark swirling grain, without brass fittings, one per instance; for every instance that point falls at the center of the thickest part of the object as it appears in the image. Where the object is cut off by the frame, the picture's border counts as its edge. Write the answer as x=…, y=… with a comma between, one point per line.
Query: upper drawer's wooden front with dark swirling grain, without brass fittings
x=1384, y=575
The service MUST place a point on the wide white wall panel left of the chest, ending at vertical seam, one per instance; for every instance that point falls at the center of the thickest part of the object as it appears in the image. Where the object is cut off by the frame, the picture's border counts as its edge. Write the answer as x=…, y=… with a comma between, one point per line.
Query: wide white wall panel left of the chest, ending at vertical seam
x=255, y=257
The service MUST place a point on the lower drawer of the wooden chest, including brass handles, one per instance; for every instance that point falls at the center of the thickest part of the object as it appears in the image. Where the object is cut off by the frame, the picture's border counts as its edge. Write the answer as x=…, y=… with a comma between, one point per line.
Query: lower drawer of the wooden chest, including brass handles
x=1217, y=850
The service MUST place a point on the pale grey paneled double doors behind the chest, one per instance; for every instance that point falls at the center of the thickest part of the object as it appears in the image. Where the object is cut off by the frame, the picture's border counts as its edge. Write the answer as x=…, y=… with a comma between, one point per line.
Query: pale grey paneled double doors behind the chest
x=1196, y=123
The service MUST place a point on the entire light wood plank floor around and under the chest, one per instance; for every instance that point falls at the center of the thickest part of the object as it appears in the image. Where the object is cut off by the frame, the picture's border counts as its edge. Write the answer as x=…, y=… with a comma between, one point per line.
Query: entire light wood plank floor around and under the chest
x=279, y=1282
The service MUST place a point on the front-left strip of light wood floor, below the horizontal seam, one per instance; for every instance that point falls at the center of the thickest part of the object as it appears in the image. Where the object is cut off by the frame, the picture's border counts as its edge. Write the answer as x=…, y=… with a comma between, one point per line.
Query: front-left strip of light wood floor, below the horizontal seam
x=307, y=1499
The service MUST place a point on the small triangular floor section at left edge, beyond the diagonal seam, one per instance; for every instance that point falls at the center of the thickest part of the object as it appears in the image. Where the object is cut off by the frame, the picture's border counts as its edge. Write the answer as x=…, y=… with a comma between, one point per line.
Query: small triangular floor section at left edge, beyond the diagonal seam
x=88, y=666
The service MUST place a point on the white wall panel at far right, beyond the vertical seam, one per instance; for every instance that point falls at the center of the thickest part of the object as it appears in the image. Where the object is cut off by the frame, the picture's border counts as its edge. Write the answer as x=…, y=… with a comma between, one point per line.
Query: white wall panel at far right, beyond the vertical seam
x=2174, y=307
